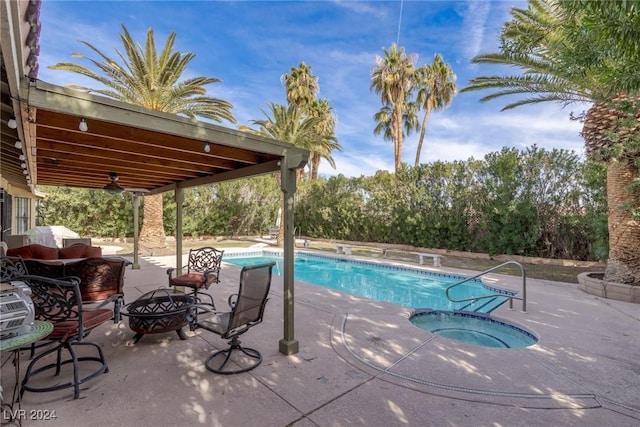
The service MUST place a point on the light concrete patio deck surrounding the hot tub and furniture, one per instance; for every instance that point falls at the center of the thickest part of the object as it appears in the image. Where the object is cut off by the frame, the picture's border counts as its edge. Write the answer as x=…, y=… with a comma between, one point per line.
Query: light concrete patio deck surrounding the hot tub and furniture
x=361, y=362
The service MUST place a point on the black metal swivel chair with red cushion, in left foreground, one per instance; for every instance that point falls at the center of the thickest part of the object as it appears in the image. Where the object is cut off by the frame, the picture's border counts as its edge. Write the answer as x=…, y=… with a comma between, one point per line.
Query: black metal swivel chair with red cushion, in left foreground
x=59, y=301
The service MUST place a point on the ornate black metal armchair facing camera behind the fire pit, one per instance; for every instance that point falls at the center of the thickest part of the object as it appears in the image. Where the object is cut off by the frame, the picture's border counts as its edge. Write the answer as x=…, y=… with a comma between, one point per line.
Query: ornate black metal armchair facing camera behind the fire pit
x=203, y=270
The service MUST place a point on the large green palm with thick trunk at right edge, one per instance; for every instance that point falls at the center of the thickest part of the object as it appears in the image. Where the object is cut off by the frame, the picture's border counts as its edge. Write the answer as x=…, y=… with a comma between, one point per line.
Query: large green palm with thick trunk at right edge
x=570, y=52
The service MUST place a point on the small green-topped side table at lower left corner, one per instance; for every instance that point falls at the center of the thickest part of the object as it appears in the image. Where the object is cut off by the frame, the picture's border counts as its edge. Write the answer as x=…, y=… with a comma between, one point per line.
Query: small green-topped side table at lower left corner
x=39, y=330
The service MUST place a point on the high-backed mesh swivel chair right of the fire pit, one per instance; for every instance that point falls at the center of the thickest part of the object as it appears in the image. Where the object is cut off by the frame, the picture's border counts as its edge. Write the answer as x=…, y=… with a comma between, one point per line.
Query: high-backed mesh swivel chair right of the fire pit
x=247, y=310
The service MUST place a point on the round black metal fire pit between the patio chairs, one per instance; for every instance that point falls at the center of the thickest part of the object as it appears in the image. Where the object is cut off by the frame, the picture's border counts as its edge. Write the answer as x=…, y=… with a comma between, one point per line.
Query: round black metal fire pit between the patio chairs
x=159, y=311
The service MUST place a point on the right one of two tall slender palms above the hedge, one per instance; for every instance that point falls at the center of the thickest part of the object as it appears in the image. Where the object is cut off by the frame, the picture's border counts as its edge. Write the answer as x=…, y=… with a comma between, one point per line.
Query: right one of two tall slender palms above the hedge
x=436, y=84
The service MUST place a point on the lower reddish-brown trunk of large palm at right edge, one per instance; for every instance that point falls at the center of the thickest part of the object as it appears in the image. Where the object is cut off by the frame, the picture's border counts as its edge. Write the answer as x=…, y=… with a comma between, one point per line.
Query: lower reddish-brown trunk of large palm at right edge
x=623, y=265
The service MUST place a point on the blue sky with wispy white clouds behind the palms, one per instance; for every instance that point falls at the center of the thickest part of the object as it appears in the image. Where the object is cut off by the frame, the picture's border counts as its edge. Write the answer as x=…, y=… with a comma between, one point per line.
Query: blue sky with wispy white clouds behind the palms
x=251, y=44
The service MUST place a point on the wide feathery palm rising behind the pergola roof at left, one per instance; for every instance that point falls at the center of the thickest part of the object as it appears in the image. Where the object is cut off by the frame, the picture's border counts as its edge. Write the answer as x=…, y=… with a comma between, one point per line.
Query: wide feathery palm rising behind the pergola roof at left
x=151, y=80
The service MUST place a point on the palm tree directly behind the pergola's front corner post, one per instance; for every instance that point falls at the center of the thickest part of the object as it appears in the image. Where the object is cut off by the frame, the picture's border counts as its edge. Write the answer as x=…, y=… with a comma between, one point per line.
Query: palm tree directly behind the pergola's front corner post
x=288, y=124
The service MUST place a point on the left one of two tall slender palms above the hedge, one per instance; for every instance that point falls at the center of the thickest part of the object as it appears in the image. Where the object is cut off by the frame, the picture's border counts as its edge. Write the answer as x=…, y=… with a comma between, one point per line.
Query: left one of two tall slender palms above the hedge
x=392, y=79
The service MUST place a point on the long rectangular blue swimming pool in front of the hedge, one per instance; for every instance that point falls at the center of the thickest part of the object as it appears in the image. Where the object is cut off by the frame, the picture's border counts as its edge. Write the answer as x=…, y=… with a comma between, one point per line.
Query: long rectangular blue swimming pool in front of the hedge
x=397, y=285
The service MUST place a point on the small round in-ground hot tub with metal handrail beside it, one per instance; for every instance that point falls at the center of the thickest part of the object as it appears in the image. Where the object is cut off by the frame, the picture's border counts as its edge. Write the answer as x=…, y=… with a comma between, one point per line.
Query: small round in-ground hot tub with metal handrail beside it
x=473, y=328
